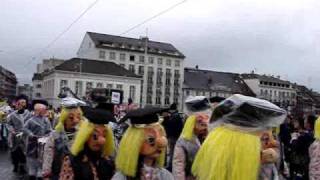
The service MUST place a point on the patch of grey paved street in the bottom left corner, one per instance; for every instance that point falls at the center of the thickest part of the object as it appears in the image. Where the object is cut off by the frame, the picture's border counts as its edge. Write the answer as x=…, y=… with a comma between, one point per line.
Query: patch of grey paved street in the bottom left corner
x=6, y=168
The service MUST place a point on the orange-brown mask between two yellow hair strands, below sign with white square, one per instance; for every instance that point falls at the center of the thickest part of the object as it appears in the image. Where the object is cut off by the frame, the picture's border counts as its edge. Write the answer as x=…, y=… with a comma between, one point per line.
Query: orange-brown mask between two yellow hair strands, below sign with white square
x=98, y=138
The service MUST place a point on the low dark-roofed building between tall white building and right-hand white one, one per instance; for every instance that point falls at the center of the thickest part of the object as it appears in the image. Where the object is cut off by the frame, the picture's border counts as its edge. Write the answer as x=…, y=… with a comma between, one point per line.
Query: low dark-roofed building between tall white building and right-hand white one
x=198, y=82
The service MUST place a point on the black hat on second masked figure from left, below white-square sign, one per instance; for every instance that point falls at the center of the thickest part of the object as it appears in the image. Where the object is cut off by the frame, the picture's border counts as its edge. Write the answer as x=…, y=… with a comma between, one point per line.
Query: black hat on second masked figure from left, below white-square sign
x=97, y=116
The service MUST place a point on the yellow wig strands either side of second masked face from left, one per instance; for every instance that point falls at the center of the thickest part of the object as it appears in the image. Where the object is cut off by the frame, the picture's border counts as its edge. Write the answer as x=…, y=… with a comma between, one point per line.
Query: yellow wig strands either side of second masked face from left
x=85, y=130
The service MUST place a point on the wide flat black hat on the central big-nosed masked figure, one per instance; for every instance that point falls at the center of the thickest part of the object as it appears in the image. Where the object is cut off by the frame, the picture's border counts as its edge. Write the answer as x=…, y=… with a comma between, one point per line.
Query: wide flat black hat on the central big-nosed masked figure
x=143, y=116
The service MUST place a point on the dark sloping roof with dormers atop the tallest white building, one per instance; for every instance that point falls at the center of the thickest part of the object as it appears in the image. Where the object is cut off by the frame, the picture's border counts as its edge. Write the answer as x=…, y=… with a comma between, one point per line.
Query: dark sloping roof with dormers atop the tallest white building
x=132, y=44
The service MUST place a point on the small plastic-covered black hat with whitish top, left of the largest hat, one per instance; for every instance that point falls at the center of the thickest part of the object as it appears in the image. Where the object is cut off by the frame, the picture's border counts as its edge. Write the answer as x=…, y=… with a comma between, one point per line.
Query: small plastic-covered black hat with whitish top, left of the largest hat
x=197, y=103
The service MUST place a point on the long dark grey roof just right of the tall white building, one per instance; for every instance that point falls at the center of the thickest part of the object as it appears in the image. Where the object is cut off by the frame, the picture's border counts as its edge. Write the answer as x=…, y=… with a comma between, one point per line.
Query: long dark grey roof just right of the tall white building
x=215, y=81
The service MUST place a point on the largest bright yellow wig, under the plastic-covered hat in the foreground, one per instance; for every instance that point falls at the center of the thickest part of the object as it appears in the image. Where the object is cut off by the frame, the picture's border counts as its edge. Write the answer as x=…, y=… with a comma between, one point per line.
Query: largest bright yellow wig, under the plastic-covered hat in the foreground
x=228, y=154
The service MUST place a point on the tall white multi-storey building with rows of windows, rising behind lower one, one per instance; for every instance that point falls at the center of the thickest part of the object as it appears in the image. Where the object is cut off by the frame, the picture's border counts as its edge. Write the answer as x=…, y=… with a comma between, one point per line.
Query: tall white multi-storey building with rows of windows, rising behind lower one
x=160, y=64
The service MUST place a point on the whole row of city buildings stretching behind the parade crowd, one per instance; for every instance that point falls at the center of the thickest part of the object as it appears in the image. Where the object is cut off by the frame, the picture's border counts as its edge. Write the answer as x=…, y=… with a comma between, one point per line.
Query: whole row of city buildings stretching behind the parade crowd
x=154, y=73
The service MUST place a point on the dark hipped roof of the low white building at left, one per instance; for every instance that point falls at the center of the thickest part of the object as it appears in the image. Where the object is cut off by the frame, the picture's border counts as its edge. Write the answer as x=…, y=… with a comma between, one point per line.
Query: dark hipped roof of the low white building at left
x=95, y=67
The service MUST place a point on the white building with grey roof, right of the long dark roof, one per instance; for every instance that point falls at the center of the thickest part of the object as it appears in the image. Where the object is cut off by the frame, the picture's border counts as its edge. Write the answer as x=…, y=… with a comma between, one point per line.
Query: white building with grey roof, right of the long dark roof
x=272, y=89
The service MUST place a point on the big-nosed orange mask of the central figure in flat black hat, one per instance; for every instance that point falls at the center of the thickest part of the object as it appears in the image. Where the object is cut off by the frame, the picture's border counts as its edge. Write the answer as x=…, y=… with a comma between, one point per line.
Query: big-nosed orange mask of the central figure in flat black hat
x=154, y=143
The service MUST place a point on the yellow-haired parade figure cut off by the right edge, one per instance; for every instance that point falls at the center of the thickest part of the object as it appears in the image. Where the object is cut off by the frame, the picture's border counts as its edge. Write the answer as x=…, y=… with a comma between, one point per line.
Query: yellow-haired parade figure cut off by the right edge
x=314, y=153
